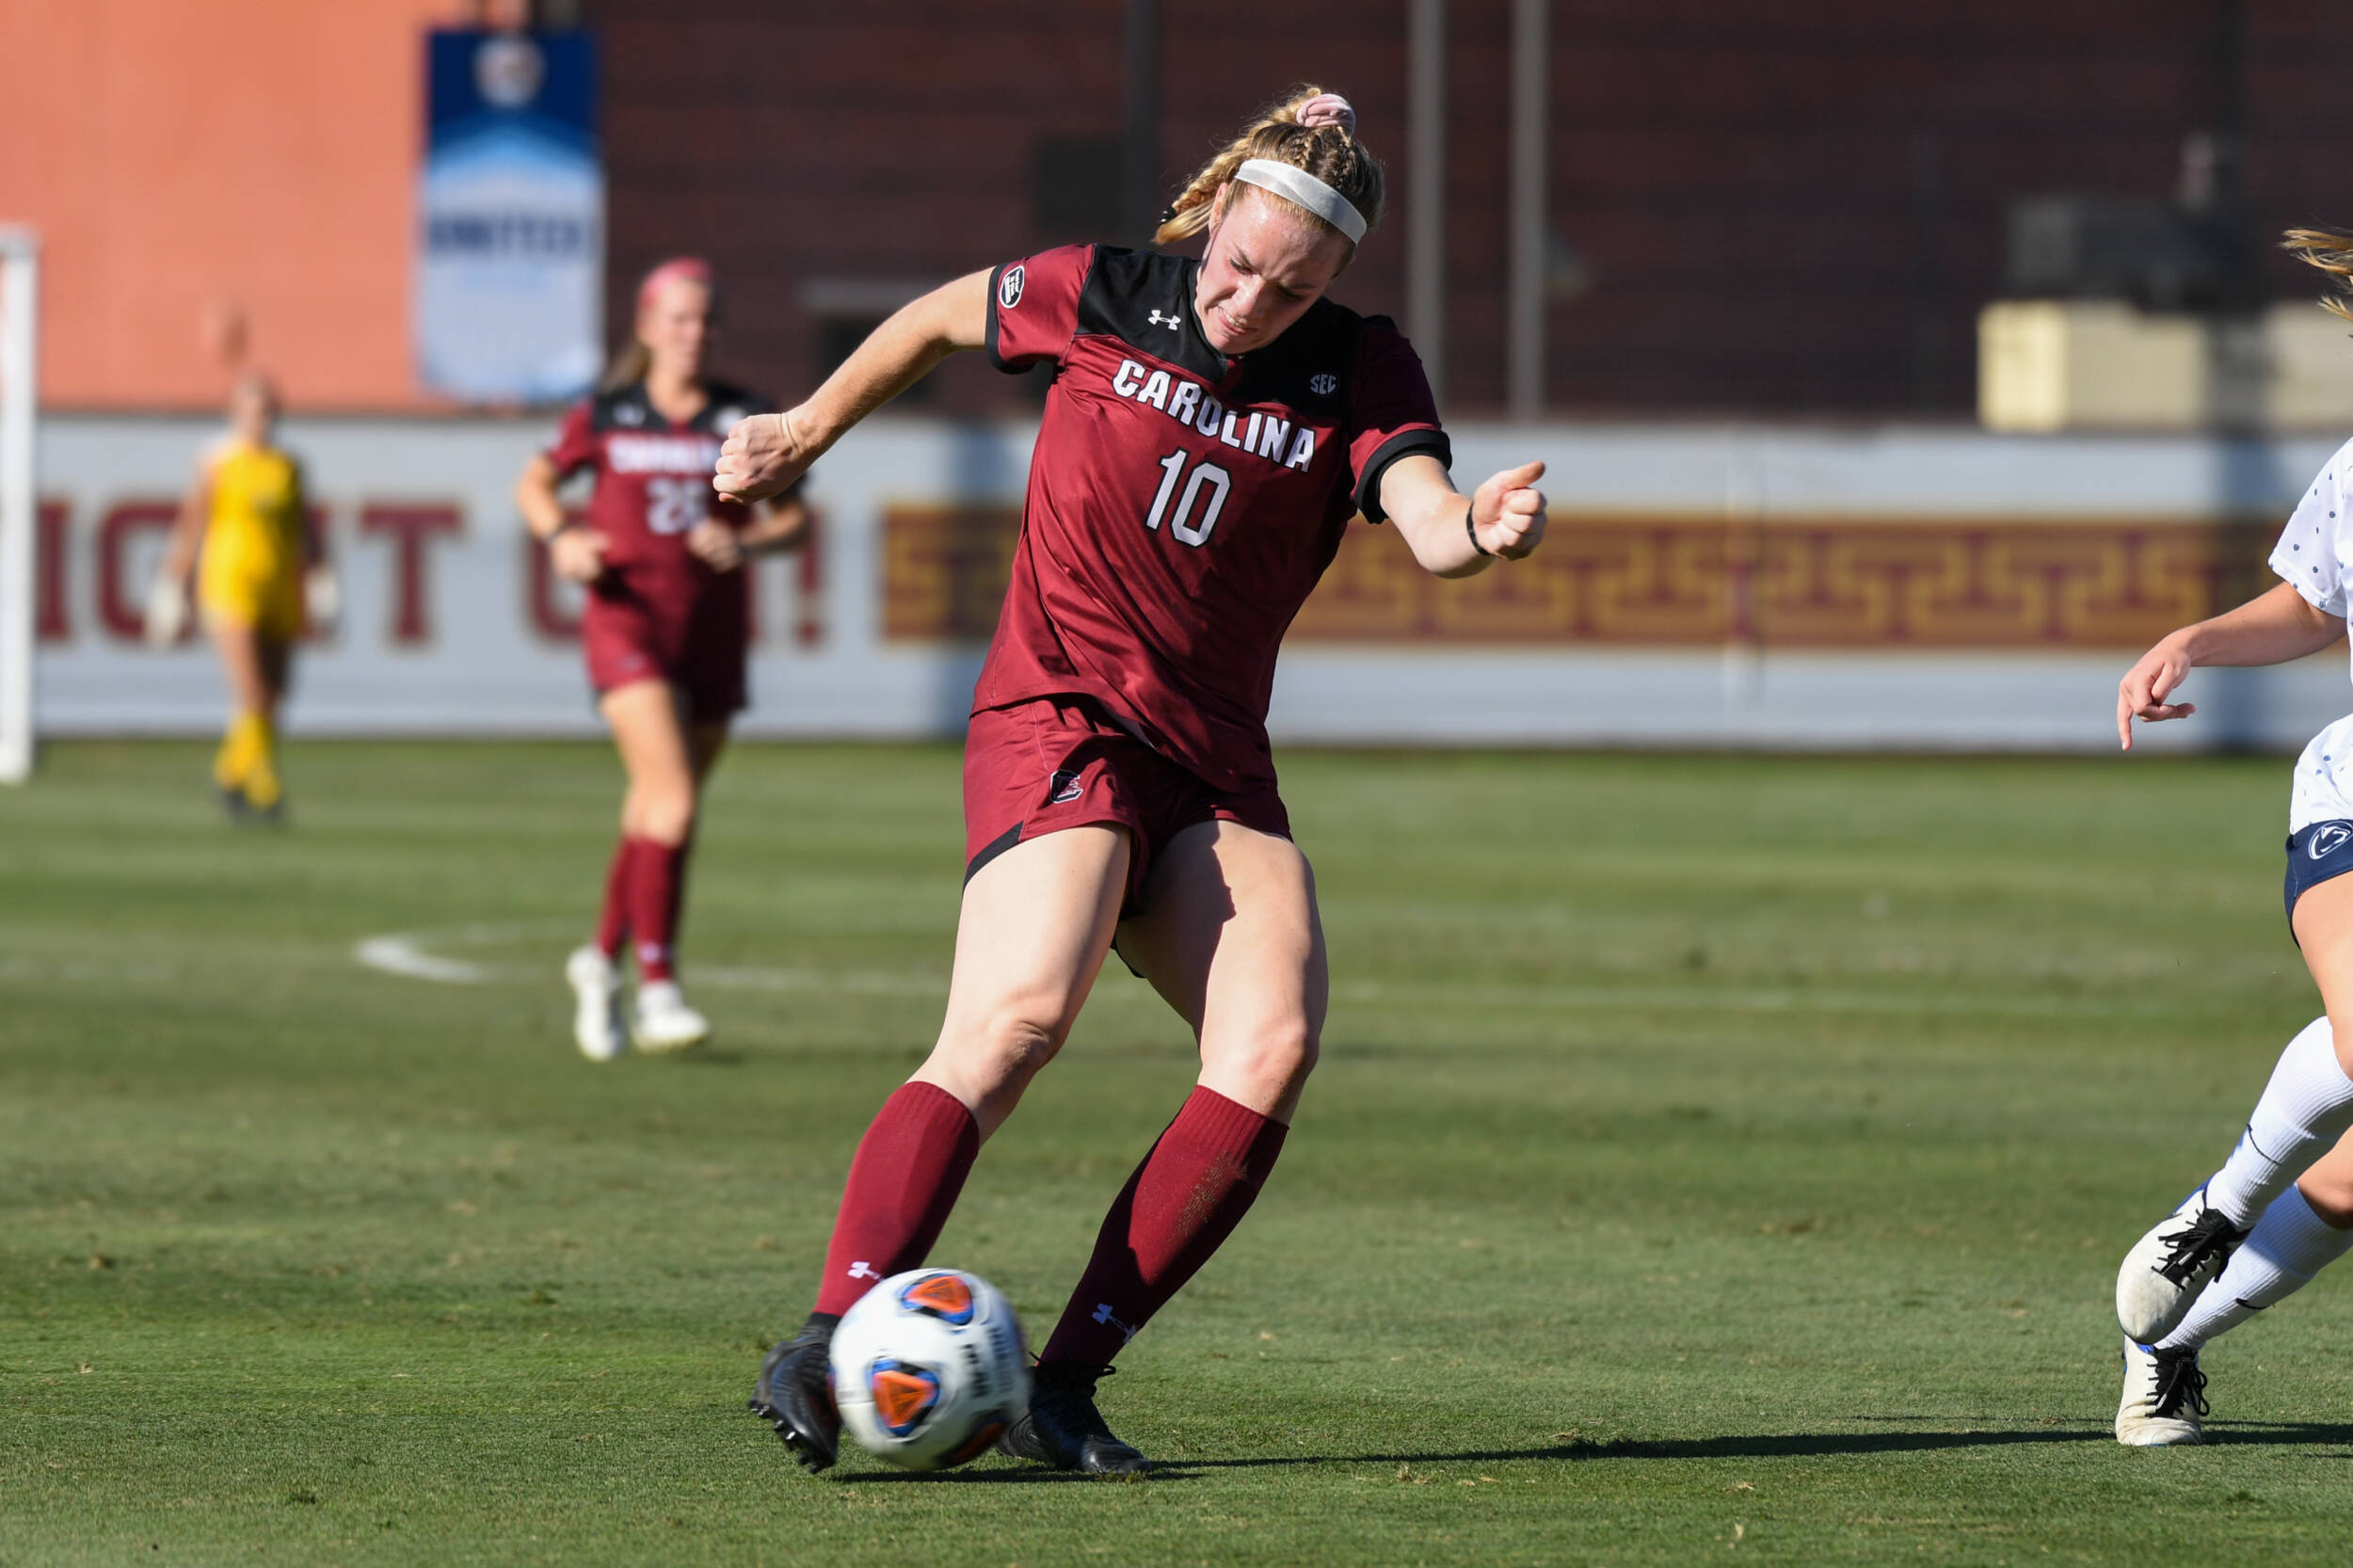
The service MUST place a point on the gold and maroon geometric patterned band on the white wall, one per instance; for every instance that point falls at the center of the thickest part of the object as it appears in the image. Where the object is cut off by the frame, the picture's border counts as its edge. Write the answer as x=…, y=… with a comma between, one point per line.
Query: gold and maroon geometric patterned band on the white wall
x=1627, y=580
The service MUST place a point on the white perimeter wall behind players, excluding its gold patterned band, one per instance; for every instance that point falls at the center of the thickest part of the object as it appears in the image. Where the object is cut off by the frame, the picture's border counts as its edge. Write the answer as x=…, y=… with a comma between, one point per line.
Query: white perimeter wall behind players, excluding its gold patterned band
x=474, y=660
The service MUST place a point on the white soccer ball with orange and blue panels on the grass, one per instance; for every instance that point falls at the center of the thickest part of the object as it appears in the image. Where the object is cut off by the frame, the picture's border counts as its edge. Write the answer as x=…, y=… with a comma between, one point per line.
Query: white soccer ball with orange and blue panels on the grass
x=928, y=1369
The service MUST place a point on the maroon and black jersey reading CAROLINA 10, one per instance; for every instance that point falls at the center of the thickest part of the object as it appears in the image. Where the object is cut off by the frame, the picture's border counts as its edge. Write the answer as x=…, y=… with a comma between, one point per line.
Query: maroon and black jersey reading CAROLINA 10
x=1182, y=505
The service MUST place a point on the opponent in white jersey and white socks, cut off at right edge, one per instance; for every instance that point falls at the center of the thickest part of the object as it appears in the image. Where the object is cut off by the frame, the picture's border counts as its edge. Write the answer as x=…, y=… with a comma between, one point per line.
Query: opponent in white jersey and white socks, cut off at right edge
x=2281, y=1209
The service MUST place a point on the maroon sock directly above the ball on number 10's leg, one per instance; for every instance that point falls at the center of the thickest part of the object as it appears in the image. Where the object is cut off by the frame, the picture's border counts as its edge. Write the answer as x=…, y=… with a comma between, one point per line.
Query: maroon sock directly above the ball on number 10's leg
x=902, y=1185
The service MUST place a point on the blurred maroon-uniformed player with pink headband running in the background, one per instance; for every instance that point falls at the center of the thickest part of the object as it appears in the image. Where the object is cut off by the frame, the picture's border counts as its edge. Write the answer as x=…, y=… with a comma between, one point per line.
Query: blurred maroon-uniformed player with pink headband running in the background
x=665, y=630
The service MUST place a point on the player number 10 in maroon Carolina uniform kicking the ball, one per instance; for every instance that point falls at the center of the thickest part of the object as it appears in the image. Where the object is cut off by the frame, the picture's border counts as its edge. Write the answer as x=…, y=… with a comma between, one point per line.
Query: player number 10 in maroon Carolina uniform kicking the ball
x=1211, y=432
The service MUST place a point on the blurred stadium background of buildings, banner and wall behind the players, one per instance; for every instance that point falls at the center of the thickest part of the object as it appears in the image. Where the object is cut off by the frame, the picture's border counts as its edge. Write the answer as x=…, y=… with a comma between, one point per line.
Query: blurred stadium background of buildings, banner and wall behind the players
x=1900, y=371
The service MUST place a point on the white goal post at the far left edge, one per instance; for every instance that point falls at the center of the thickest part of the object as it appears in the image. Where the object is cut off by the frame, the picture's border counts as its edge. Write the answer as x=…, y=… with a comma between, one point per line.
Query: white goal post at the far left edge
x=20, y=397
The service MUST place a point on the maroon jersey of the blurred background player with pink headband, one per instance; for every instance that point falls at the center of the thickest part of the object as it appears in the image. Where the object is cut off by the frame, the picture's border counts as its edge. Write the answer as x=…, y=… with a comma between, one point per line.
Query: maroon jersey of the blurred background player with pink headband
x=653, y=479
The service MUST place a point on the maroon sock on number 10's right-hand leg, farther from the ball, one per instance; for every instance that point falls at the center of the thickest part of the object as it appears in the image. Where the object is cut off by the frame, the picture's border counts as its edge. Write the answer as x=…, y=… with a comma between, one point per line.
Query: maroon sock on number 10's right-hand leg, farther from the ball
x=1175, y=1211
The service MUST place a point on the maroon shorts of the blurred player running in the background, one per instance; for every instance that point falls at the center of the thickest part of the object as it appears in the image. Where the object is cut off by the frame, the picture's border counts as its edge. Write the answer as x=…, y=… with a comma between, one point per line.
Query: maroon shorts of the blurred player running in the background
x=695, y=642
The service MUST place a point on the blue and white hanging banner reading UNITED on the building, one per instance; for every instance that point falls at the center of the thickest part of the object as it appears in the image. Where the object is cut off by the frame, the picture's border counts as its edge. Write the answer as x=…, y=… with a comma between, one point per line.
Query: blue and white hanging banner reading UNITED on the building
x=509, y=218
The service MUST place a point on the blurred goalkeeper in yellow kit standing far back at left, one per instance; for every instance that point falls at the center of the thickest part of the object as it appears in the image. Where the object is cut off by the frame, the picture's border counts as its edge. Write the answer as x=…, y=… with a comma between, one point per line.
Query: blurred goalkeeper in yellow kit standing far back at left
x=246, y=533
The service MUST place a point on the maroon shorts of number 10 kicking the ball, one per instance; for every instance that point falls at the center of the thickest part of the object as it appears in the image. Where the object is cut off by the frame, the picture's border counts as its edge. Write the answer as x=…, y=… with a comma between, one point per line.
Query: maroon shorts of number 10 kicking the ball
x=1060, y=762
